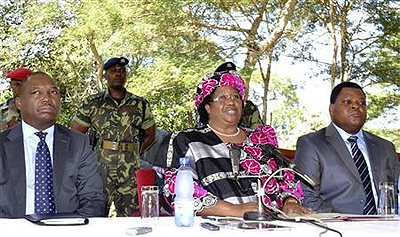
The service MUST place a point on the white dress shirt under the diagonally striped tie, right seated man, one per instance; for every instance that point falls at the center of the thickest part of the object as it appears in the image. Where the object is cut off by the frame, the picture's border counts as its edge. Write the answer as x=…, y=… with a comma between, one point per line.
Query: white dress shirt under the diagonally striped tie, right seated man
x=363, y=147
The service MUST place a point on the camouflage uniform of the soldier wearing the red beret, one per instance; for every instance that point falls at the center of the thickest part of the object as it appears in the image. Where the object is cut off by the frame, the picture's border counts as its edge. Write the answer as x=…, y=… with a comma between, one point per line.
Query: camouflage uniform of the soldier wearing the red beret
x=9, y=114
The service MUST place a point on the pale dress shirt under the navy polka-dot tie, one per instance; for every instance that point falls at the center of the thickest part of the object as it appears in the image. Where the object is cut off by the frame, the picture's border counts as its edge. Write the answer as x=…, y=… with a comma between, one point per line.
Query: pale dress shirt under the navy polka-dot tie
x=30, y=143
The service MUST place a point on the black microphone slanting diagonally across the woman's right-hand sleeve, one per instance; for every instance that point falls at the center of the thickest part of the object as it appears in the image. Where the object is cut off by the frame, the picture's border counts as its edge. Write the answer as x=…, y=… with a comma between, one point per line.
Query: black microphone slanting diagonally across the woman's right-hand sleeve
x=270, y=150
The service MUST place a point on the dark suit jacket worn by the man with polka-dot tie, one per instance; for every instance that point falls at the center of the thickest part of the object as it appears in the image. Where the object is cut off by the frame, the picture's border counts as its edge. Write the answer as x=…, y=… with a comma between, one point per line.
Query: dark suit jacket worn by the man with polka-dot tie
x=77, y=183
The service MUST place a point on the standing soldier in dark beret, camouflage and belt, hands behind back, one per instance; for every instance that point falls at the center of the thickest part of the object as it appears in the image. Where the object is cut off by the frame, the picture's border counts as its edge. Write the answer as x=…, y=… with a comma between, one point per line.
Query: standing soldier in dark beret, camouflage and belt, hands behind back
x=124, y=128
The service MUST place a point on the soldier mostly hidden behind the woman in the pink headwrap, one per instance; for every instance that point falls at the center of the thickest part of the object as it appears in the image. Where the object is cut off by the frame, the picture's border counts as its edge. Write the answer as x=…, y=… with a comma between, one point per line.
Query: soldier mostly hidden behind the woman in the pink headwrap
x=251, y=117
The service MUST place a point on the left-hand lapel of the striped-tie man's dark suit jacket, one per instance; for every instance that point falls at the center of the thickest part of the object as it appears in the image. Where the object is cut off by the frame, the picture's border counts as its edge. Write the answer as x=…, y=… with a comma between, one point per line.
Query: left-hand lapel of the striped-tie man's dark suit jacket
x=334, y=138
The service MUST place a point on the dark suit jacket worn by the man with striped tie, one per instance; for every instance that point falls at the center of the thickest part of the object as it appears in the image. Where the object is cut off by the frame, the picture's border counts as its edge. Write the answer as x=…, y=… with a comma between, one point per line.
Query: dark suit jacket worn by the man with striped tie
x=323, y=156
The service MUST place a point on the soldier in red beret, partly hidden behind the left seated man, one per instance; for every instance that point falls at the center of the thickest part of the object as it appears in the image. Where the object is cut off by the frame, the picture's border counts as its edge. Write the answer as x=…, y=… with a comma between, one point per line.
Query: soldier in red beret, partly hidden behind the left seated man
x=9, y=114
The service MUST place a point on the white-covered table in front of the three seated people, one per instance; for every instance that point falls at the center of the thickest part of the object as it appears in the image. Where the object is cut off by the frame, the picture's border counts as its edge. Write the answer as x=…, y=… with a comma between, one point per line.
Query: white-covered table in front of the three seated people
x=115, y=227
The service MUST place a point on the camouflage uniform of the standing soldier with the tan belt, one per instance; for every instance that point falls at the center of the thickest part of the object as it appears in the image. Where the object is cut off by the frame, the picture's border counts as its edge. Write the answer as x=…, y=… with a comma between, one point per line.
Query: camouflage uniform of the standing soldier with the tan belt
x=117, y=123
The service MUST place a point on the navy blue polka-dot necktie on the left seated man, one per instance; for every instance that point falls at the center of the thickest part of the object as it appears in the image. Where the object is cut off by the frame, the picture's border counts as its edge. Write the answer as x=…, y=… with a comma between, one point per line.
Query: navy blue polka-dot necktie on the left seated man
x=44, y=193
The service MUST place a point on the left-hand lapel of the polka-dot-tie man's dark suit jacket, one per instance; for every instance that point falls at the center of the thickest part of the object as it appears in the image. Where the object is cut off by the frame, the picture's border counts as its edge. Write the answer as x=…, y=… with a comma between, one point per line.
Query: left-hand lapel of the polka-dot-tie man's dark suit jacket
x=14, y=150
